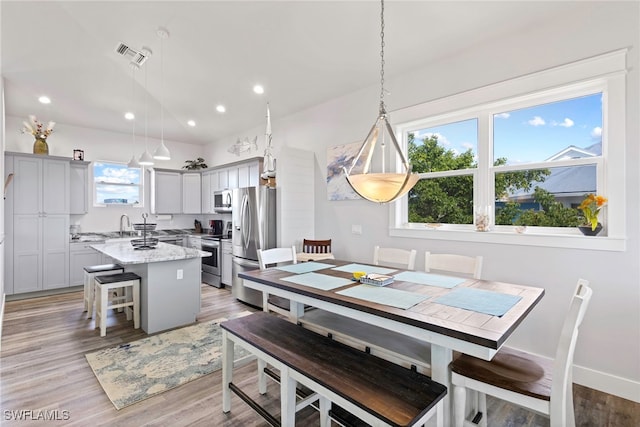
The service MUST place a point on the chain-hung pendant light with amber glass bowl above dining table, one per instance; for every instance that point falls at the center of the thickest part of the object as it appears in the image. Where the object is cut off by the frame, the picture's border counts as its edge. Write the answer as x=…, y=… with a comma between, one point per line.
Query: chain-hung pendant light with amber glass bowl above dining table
x=381, y=186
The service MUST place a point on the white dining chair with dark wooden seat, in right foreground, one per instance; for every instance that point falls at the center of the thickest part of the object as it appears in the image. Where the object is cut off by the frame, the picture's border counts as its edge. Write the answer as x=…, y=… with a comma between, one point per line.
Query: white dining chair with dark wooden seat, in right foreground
x=524, y=379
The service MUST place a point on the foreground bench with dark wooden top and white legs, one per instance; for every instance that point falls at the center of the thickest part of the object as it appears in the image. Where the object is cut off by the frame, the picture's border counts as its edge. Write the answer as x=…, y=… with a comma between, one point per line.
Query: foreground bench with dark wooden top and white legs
x=375, y=390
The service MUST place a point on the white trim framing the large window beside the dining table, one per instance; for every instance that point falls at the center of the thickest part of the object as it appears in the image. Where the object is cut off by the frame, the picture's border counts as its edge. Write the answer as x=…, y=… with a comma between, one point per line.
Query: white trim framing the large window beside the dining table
x=607, y=72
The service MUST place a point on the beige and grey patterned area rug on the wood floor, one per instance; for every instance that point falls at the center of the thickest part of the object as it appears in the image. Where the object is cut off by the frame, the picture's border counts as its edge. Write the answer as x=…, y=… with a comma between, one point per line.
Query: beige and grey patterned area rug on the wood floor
x=141, y=369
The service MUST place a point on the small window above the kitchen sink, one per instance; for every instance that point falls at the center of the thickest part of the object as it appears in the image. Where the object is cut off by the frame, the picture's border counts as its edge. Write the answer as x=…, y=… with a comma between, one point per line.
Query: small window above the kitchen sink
x=117, y=184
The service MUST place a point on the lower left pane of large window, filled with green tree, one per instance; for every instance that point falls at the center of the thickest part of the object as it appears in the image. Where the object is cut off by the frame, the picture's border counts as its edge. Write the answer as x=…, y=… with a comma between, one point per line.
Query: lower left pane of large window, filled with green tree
x=442, y=200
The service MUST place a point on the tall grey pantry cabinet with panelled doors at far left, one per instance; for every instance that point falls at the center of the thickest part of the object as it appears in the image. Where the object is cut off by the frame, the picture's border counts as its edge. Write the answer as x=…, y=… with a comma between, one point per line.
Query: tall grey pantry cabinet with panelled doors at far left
x=39, y=207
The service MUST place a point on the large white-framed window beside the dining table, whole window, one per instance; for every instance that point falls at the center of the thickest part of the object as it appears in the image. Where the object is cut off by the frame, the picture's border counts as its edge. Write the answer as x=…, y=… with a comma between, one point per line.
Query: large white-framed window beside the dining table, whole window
x=524, y=152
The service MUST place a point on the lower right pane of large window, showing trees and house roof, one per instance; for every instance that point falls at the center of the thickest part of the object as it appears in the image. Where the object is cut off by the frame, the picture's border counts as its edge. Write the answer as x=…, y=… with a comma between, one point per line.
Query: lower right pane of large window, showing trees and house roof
x=543, y=197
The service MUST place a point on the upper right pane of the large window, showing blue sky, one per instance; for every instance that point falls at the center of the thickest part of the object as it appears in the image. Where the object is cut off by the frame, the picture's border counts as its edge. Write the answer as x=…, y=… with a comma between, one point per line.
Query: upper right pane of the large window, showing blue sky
x=559, y=130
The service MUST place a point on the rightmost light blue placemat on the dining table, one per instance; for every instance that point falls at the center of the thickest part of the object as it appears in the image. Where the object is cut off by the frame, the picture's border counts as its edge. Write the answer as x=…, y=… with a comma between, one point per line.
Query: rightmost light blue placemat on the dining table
x=488, y=302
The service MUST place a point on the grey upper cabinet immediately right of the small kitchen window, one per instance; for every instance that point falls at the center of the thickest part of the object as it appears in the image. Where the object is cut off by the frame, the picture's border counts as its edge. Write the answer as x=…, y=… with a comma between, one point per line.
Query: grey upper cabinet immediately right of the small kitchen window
x=166, y=191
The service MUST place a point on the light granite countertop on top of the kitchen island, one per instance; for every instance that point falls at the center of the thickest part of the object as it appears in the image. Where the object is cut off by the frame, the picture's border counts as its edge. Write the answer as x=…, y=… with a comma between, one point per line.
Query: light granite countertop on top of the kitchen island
x=124, y=253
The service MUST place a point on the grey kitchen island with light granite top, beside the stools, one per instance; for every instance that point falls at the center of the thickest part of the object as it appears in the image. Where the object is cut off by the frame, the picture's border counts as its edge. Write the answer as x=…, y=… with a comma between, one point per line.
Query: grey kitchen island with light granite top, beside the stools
x=170, y=285
